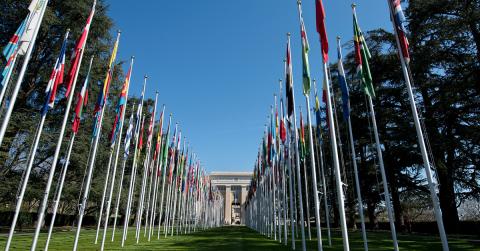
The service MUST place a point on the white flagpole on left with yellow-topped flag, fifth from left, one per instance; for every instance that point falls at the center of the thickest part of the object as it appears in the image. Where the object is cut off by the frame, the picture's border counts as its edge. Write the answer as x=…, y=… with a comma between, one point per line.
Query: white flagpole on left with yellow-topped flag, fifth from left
x=90, y=173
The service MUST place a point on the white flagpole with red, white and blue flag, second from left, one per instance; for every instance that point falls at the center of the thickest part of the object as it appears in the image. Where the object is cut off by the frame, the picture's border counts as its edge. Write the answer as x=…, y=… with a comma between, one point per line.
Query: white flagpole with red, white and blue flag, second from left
x=31, y=158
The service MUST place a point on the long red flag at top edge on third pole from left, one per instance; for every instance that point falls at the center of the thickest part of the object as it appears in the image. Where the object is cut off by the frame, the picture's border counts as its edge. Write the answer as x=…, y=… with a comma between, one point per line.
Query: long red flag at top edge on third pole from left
x=79, y=47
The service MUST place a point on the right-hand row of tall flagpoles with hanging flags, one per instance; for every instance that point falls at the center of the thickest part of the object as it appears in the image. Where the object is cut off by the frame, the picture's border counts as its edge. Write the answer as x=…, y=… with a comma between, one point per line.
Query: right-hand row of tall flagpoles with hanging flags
x=282, y=152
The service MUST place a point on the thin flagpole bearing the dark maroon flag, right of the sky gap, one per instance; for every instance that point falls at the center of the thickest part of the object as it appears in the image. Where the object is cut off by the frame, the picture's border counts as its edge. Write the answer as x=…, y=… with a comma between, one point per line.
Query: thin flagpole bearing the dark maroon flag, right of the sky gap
x=297, y=159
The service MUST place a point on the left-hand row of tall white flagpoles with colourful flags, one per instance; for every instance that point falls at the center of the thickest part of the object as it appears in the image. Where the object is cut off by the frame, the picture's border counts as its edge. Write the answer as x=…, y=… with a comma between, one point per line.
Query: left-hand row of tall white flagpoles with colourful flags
x=191, y=201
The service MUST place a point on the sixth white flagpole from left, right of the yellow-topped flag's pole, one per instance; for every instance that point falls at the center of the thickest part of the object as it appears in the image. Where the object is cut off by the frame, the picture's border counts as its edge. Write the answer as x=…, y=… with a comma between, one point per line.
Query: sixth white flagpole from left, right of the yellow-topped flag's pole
x=112, y=185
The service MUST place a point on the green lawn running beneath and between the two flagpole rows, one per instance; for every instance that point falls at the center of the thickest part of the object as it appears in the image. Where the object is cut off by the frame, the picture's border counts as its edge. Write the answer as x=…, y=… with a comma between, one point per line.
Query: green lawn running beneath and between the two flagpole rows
x=235, y=238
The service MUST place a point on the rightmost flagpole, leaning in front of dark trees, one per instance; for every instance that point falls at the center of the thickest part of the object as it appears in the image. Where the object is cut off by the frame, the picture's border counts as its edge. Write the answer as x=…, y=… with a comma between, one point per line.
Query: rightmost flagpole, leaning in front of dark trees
x=421, y=139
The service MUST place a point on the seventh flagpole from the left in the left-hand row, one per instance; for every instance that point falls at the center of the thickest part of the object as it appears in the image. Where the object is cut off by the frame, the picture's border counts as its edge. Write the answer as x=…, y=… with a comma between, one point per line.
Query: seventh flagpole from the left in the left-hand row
x=139, y=123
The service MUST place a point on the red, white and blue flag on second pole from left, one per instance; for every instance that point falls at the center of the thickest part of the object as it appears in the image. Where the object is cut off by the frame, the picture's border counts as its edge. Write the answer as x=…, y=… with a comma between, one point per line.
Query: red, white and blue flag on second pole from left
x=56, y=77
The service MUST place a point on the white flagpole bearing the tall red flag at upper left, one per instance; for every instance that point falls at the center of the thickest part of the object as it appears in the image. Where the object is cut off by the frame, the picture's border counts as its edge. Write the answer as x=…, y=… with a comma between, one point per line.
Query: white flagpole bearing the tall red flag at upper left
x=43, y=207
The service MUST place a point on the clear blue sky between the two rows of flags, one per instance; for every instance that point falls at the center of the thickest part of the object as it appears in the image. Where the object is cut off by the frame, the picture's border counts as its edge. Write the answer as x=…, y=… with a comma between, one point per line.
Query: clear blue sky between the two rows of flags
x=216, y=63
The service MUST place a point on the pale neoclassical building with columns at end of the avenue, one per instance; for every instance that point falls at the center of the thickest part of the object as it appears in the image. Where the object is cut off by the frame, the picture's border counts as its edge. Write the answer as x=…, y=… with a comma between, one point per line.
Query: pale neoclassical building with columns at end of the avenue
x=234, y=188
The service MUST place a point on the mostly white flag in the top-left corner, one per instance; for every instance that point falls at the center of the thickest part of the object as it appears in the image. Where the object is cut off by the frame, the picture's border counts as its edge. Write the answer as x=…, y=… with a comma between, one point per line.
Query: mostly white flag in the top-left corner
x=33, y=20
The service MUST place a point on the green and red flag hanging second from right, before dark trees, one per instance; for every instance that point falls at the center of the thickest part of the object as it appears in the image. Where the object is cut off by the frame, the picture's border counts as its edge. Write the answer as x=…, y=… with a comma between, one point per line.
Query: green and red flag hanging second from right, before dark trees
x=362, y=55
